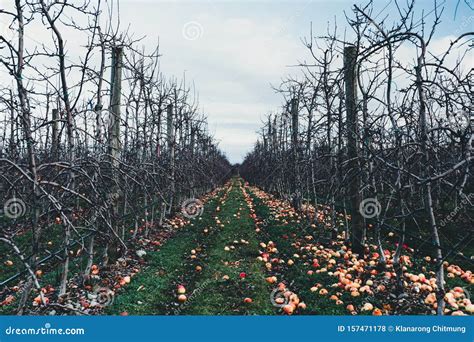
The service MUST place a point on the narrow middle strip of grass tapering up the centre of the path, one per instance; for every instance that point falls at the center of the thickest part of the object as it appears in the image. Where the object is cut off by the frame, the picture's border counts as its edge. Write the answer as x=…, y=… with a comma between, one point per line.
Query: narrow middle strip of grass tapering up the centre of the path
x=218, y=296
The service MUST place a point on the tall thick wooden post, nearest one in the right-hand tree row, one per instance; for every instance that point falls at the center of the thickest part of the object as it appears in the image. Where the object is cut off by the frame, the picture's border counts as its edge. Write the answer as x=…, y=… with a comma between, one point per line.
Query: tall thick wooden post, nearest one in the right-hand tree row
x=350, y=80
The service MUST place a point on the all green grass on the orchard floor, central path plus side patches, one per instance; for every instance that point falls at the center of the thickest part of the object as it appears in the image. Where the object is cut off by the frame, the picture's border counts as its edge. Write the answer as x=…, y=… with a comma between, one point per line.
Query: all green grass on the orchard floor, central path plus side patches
x=153, y=290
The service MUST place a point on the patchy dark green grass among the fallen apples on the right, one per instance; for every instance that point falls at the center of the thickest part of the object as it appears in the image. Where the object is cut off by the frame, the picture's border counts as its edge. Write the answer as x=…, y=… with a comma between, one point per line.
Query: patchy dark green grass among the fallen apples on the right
x=286, y=235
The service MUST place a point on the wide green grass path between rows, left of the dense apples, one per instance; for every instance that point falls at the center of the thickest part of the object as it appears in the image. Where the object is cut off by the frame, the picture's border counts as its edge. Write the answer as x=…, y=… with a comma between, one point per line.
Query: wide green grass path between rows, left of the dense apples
x=214, y=258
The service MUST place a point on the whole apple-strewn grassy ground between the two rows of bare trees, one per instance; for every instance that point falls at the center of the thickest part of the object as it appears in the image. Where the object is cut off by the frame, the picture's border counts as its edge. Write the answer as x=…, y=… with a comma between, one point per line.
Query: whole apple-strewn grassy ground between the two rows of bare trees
x=249, y=253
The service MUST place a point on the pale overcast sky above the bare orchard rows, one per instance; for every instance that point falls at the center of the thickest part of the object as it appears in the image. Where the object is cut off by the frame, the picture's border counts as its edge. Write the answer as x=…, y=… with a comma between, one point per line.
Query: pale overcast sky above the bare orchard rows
x=234, y=51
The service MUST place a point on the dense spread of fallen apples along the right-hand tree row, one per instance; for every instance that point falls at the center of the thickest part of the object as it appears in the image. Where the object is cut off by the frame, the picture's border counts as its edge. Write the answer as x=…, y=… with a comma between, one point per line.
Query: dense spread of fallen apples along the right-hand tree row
x=355, y=278
